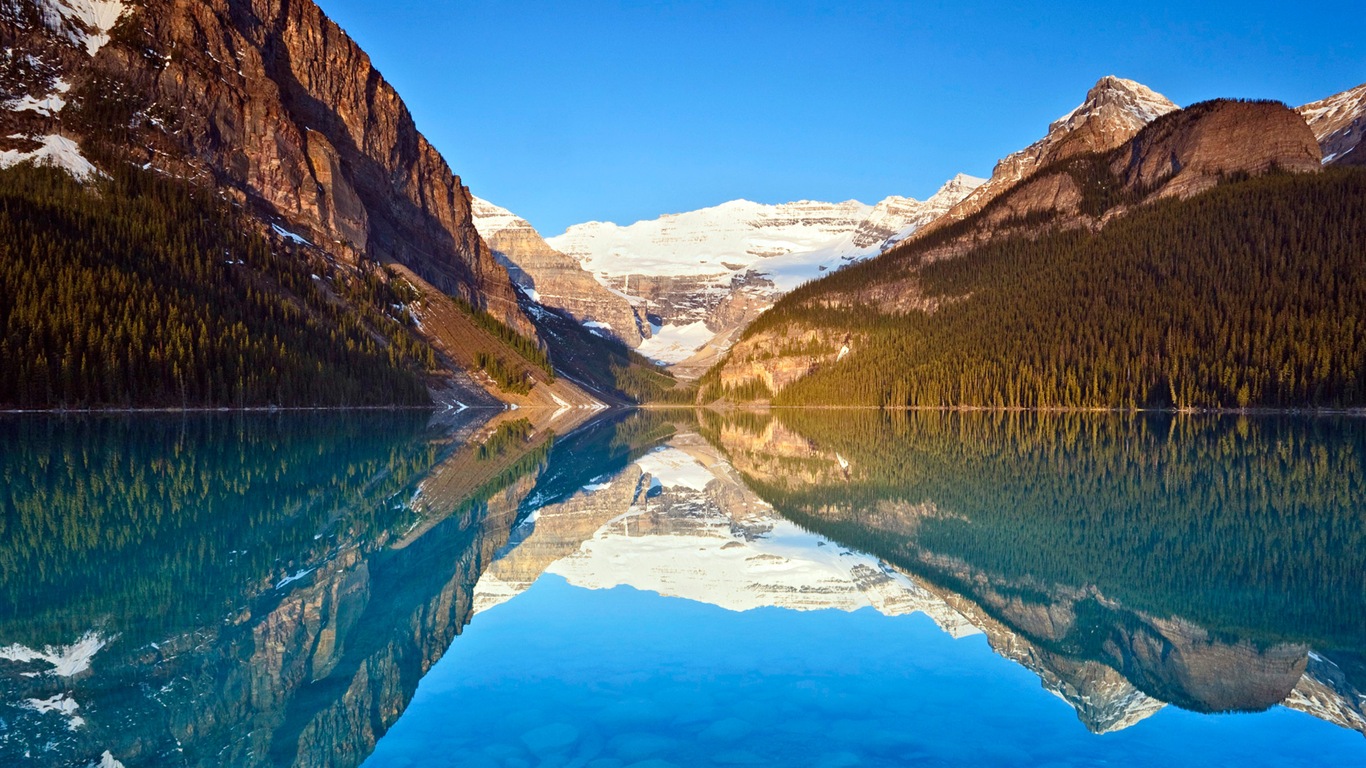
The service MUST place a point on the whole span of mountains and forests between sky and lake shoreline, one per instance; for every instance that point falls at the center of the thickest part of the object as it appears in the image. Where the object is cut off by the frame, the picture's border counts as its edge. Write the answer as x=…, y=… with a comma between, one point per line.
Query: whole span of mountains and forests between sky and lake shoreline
x=225, y=204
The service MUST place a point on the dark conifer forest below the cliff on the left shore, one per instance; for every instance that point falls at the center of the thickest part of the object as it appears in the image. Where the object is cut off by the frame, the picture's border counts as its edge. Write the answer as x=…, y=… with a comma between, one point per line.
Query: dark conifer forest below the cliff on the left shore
x=144, y=292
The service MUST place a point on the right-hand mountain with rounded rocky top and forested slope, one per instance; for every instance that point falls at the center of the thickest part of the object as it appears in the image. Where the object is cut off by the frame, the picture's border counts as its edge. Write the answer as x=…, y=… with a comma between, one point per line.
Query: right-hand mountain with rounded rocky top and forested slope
x=1132, y=278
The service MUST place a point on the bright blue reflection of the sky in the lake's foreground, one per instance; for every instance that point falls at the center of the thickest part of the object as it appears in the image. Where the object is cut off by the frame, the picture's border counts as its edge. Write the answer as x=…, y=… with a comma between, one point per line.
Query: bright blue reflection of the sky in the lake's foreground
x=574, y=677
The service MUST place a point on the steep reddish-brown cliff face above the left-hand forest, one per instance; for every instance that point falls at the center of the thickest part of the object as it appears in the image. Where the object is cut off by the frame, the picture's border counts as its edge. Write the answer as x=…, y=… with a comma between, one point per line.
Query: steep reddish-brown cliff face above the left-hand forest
x=271, y=102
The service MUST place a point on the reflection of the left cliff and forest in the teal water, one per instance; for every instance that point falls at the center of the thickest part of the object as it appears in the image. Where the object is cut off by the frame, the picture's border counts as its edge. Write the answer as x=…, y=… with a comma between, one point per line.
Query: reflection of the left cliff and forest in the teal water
x=240, y=591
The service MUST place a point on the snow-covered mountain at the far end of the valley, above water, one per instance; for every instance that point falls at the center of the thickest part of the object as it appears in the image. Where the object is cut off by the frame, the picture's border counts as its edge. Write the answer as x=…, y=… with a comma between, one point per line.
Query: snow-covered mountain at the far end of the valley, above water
x=693, y=281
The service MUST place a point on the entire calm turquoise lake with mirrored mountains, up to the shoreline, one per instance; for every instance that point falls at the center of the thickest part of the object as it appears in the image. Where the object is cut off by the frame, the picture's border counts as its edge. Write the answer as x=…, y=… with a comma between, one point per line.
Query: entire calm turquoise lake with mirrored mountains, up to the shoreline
x=684, y=590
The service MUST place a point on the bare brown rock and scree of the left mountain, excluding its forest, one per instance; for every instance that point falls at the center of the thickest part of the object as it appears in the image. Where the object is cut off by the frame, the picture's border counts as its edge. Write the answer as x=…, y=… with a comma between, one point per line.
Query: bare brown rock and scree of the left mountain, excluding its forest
x=274, y=109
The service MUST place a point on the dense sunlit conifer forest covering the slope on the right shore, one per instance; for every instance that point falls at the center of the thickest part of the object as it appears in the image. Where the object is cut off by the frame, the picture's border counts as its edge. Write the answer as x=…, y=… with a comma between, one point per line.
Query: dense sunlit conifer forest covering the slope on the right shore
x=1252, y=294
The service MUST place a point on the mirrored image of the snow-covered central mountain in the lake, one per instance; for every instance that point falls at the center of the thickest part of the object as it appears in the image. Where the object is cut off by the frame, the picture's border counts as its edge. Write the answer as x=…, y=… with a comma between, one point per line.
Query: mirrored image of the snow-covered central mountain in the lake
x=682, y=524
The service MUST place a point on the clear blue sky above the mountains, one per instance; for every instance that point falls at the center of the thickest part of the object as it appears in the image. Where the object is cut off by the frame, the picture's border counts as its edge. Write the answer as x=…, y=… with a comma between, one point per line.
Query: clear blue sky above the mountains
x=573, y=111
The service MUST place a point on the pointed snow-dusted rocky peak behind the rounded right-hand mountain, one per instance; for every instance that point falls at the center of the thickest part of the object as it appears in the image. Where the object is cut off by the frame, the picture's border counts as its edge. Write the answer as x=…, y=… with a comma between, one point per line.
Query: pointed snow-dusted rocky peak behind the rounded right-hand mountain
x=1113, y=113
